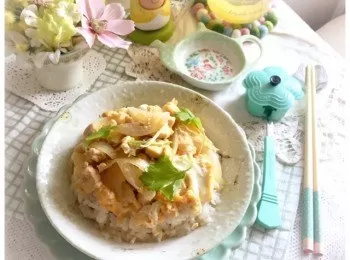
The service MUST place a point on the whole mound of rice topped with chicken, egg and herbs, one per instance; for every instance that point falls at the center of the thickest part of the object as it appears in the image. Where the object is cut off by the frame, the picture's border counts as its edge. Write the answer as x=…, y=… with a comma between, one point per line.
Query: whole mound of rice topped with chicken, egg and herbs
x=146, y=173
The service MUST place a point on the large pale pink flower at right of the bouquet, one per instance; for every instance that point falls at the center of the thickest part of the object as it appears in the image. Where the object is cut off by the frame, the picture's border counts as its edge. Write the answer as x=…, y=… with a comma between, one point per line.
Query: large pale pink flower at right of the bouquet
x=104, y=23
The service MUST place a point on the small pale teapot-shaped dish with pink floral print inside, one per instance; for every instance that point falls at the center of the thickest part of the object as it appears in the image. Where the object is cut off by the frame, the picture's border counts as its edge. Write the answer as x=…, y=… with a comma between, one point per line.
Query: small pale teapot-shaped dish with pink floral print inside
x=231, y=50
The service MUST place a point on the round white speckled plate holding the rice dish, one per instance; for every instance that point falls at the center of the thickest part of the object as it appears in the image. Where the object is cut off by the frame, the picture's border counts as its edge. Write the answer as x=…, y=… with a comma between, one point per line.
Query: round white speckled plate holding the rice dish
x=53, y=170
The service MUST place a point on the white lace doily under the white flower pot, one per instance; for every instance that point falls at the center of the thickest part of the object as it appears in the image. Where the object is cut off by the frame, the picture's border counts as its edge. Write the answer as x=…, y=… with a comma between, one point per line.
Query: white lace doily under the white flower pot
x=21, y=80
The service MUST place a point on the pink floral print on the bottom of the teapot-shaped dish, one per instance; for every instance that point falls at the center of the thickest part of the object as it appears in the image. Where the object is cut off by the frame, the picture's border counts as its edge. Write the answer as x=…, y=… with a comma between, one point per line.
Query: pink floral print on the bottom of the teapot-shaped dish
x=209, y=65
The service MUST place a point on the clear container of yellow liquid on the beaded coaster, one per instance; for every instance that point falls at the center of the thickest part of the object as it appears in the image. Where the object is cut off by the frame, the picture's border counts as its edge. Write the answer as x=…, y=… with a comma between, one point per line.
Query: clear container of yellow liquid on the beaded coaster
x=239, y=11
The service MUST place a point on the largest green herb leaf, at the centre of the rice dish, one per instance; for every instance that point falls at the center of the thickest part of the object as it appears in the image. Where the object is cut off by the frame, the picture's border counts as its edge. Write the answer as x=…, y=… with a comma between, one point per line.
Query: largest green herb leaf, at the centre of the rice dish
x=164, y=177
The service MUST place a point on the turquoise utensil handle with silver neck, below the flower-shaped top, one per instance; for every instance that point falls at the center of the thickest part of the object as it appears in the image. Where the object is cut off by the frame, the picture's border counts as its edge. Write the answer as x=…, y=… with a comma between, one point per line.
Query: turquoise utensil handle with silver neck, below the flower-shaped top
x=269, y=215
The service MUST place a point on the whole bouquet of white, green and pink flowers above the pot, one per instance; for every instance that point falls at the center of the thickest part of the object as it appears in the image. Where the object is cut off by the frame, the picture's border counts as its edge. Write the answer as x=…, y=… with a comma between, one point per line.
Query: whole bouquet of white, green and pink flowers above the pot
x=40, y=30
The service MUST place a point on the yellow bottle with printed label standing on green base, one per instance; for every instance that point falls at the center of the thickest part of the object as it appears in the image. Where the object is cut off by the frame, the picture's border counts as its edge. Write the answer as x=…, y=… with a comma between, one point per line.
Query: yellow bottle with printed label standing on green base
x=150, y=15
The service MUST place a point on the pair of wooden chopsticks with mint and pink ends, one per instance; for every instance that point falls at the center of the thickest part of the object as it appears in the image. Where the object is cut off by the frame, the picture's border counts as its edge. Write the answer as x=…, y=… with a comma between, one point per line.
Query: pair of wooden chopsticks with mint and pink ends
x=311, y=211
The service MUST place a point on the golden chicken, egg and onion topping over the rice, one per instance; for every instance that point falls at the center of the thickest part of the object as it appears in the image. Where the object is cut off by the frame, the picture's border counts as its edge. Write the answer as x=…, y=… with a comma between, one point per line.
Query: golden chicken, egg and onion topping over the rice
x=109, y=166
